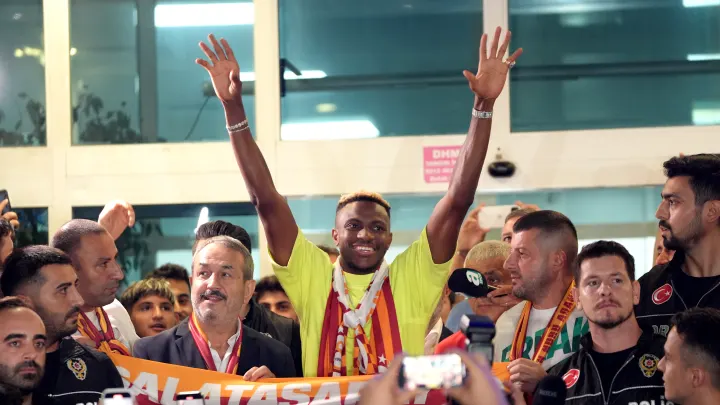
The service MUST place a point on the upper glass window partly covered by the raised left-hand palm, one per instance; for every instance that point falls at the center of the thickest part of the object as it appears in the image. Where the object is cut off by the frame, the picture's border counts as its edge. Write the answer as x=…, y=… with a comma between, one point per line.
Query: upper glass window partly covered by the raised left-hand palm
x=134, y=79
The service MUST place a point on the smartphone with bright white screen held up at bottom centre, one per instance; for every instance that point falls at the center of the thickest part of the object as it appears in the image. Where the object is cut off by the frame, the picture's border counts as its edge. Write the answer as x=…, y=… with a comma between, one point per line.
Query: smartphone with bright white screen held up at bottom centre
x=432, y=372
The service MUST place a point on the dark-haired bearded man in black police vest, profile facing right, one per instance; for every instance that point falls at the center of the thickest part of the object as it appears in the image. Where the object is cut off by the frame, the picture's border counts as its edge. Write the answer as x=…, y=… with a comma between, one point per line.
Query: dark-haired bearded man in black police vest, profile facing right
x=73, y=372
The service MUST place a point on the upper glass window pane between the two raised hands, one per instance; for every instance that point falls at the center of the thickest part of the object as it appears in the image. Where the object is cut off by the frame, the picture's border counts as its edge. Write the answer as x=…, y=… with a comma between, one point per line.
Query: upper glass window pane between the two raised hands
x=377, y=69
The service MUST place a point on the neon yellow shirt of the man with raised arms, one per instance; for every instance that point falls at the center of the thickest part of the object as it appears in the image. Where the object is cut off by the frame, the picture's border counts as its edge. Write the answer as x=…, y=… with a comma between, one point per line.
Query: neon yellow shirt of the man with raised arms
x=415, y=280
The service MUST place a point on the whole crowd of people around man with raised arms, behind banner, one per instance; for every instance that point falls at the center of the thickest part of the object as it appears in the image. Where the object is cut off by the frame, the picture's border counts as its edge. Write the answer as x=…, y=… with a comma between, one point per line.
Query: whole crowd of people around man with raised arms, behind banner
x=345, y=311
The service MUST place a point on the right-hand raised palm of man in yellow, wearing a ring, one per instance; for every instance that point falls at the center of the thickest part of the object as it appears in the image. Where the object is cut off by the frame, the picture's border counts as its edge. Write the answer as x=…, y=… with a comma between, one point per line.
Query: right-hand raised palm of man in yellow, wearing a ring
x=492, y=72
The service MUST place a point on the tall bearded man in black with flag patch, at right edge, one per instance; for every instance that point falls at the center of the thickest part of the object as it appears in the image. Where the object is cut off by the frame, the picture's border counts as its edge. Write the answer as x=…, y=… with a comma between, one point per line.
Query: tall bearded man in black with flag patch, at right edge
x=689, y=219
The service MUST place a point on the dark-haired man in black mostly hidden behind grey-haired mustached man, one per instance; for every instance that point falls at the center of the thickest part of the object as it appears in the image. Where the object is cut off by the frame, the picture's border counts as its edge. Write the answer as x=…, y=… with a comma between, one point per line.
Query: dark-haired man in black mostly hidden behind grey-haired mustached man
x=257, y=316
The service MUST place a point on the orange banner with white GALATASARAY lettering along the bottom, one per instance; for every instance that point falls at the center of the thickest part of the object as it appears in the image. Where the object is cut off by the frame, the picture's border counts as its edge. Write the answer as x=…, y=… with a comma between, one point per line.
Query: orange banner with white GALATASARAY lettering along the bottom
x=157, y=383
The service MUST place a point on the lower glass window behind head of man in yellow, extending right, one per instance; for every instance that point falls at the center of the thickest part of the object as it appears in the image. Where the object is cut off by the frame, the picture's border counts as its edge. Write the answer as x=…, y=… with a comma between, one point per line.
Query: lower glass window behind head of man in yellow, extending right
x=626, y=215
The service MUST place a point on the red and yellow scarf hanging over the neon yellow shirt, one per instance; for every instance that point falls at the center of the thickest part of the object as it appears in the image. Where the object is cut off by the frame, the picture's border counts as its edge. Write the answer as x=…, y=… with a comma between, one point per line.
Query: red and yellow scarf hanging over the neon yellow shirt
x=370, y=355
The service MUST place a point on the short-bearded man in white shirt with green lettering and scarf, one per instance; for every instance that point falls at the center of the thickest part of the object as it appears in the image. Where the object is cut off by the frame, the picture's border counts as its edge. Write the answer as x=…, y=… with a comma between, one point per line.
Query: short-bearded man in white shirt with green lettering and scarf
x=546, y=328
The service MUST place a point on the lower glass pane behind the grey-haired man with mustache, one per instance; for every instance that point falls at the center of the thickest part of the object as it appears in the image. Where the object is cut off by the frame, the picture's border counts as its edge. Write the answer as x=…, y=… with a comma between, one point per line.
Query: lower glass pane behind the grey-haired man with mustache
x=166, y=233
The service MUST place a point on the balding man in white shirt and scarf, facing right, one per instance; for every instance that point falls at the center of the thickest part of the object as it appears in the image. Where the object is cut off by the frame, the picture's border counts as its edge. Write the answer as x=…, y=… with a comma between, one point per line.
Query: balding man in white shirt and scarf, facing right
x=104, y=323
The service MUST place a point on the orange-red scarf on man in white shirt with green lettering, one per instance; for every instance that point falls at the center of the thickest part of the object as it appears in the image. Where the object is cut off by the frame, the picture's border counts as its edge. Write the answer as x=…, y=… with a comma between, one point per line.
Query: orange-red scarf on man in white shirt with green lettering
x=552, y=331
